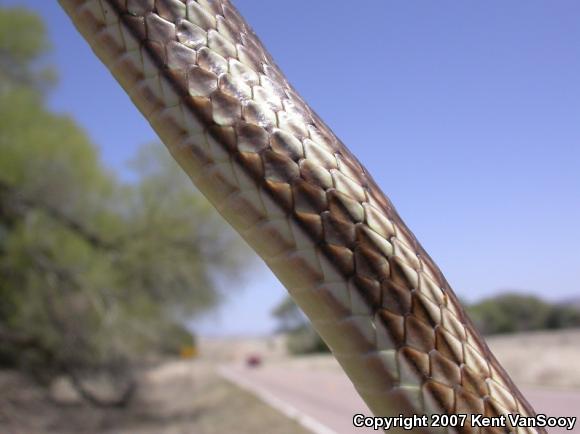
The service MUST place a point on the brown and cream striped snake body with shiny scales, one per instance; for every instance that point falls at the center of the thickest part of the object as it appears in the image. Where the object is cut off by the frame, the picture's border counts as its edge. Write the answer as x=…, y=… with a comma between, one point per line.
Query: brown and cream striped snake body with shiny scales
x=297, y=195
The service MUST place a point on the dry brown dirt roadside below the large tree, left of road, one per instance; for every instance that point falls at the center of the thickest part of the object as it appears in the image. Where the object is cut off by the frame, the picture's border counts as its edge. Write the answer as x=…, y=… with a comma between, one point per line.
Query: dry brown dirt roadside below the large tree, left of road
x=177, y=397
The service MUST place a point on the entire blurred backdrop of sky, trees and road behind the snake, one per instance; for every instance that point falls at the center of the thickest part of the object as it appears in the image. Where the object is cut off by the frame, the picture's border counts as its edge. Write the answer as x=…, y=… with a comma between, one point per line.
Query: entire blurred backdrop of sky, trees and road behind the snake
x=127, y=305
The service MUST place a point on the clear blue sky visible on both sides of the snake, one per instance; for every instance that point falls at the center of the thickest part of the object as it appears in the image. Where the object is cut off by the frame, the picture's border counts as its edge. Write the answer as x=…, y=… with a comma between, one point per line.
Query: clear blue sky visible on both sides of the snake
x=466, y=113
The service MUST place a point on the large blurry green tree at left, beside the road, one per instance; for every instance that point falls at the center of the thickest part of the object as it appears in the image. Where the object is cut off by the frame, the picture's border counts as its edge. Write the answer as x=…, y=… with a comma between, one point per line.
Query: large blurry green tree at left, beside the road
x=94, y=274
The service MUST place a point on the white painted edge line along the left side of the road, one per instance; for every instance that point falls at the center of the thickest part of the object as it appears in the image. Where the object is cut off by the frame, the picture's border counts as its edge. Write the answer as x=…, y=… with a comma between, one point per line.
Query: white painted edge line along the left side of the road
x=286, y=409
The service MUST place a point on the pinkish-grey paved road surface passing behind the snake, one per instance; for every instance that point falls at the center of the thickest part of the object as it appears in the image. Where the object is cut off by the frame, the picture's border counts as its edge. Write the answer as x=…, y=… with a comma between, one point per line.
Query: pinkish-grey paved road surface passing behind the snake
x=327, y=396
